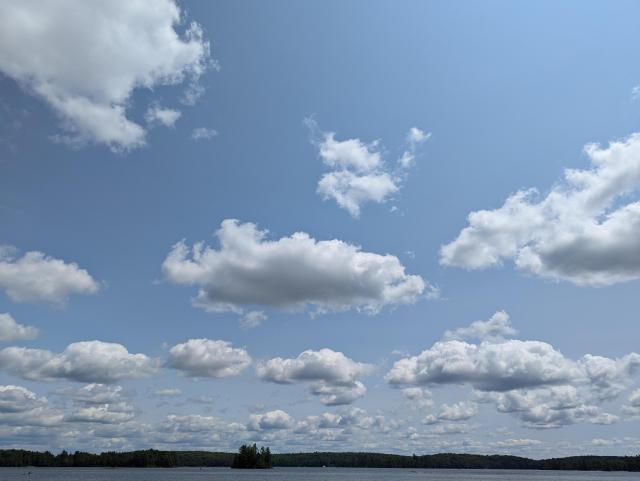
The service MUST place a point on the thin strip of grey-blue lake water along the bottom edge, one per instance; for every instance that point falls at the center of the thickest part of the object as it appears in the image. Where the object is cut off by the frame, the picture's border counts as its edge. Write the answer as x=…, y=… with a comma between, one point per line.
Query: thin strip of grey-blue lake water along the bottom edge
x=301, y=474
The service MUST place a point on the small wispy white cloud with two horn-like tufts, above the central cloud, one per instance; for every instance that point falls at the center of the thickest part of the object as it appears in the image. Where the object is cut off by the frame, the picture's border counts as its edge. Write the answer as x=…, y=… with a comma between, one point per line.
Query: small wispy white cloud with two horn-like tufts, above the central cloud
x=359, y=174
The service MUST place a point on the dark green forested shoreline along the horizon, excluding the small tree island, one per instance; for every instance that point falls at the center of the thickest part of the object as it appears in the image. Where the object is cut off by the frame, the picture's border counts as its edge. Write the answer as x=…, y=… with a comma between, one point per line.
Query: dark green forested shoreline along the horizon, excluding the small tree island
x=169, y=459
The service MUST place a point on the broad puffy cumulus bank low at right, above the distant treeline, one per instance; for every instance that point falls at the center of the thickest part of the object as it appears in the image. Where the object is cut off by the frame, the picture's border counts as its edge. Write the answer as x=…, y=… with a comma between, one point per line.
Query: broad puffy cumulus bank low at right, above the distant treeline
x=529, y=379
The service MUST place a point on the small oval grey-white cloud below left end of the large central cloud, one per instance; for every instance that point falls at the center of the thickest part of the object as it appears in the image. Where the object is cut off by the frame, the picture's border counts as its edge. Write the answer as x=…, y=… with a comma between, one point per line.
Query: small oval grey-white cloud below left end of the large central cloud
x=207, y=358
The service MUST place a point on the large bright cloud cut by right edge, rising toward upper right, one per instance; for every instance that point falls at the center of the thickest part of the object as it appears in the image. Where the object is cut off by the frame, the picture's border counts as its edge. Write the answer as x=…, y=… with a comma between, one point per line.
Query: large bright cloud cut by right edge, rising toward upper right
x=582, y=231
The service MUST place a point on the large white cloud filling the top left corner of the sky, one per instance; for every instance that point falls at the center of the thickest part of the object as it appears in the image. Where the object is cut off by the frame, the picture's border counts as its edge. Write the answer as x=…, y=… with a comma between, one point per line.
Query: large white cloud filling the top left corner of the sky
x=86, y=59
